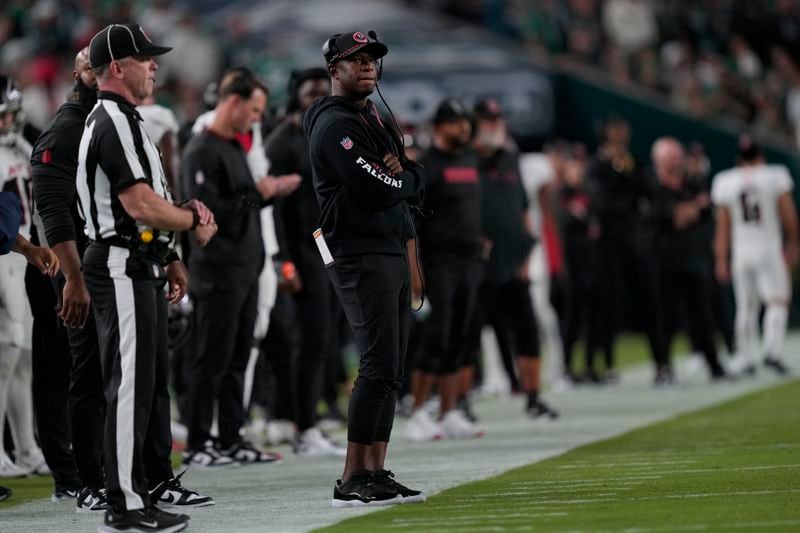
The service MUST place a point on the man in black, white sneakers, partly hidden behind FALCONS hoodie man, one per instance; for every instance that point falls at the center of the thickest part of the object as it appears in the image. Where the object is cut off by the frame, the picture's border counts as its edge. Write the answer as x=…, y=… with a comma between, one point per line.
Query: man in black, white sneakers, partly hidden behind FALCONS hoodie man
x=297, y=215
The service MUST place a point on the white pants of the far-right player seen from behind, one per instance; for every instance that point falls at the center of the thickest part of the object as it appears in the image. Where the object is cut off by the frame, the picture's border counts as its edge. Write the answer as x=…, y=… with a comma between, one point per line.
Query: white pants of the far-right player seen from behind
x=761, y=278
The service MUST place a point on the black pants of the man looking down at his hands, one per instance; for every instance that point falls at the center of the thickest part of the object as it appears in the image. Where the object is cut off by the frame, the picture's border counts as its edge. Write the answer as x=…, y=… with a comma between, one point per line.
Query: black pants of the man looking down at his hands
x=224, y=323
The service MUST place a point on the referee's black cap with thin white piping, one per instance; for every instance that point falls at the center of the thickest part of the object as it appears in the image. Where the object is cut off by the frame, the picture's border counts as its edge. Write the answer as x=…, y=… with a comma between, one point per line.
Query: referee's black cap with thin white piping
x=118, y=41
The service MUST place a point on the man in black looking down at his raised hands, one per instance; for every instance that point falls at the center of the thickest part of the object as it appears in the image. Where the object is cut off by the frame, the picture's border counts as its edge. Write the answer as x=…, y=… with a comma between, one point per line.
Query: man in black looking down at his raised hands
x=226, y=272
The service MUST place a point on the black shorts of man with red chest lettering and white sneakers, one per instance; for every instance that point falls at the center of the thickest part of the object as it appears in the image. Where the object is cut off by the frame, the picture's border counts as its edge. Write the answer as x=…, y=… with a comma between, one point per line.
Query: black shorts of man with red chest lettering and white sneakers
x=452, y=287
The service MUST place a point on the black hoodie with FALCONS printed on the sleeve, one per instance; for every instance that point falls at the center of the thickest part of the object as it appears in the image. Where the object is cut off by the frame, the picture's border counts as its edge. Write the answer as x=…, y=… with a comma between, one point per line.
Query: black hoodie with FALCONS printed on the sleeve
x=363, y=207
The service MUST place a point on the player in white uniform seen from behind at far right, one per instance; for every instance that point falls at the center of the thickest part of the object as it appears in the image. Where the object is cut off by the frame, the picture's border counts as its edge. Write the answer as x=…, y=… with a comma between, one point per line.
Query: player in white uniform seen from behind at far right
x=755, y=244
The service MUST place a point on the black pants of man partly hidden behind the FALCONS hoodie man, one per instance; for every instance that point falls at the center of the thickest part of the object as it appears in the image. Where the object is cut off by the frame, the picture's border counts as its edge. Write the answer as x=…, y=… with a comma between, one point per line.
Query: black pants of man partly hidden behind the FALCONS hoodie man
x=314, y=325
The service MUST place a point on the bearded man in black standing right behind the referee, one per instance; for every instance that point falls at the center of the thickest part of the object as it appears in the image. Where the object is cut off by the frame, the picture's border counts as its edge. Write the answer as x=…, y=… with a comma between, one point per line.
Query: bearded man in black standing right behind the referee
x=68, y=390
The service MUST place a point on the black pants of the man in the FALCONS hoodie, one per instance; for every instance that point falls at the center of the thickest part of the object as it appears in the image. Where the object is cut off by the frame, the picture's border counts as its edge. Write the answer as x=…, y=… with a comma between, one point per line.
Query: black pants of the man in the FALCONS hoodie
x=375, y=294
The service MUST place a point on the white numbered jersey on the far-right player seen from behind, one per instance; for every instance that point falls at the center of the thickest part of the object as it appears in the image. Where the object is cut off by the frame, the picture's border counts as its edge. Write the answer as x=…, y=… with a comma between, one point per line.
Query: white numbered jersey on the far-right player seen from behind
x=751, y=196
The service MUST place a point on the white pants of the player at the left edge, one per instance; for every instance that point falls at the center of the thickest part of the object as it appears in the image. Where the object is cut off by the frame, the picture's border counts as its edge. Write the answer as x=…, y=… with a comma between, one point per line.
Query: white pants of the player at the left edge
x=16, y=324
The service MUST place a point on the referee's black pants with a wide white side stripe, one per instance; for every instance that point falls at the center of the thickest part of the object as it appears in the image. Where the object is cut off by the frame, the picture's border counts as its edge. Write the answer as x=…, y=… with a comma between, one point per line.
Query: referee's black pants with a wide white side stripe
x=127, y=290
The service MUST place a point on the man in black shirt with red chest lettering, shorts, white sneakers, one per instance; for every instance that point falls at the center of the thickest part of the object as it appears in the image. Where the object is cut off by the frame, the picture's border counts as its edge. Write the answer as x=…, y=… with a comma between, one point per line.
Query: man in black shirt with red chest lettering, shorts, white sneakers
x=450, y=245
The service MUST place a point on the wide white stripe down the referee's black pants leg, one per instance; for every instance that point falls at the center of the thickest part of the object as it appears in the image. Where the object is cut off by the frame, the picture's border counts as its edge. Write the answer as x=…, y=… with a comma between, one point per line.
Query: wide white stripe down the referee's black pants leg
x=126, y=324
